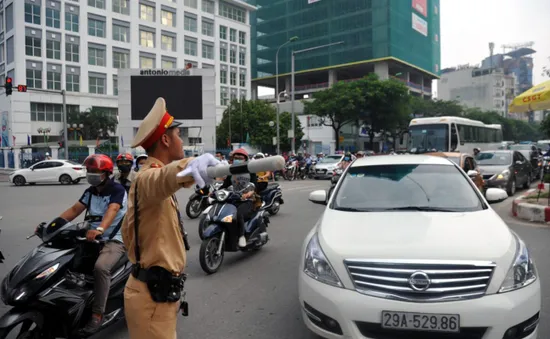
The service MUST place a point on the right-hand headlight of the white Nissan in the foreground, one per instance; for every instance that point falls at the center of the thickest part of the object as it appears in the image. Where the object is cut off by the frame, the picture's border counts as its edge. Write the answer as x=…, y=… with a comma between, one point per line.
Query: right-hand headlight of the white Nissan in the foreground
x=522, y=273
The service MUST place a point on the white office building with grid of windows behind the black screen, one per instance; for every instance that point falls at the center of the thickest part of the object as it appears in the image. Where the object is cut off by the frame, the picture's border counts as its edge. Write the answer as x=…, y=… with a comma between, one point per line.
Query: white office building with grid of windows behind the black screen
x=79, y=46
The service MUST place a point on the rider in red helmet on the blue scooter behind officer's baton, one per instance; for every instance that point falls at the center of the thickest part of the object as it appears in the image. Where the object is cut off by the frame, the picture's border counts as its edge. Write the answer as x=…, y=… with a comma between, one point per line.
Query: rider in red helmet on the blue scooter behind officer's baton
x=245, y=208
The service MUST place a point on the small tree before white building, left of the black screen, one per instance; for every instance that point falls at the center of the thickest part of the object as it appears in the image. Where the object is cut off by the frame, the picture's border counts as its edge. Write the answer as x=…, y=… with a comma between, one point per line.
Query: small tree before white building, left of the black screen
x=93, y=120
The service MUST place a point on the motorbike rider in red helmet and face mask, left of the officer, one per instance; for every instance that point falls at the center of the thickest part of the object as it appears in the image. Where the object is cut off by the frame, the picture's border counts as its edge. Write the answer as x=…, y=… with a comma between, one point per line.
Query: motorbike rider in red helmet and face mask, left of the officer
x=105, y=204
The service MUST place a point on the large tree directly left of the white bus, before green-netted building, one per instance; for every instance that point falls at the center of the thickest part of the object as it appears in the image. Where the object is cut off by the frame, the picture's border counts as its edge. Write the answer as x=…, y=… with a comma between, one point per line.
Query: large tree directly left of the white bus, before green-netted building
x=384, y=106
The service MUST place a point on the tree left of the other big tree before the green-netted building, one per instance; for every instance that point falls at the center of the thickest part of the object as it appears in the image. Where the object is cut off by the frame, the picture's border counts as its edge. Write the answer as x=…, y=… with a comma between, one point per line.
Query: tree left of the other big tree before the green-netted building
x=337, y=106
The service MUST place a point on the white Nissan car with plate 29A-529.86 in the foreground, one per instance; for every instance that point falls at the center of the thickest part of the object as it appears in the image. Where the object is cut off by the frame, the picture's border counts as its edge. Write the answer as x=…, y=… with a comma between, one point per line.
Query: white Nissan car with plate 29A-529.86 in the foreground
x=409, y=248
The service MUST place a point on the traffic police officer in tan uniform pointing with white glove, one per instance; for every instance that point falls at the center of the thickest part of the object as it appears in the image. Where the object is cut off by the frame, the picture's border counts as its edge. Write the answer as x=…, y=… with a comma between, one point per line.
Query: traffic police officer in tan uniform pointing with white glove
x=152, y=230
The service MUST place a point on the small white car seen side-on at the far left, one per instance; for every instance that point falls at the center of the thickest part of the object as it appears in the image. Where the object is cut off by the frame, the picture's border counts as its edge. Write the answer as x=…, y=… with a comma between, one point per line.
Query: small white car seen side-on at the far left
x=47, y=171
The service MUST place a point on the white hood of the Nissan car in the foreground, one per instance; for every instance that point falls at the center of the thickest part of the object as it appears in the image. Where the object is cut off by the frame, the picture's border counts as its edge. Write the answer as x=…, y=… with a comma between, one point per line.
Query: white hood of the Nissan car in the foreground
x=480, y=235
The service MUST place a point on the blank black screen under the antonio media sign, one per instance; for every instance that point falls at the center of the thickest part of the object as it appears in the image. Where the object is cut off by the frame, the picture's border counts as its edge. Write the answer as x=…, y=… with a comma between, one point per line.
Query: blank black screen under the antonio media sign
x=183, y=95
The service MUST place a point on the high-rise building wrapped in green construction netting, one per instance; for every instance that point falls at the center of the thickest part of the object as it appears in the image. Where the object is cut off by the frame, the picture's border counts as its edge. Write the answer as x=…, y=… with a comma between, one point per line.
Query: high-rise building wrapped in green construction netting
x=393, y=38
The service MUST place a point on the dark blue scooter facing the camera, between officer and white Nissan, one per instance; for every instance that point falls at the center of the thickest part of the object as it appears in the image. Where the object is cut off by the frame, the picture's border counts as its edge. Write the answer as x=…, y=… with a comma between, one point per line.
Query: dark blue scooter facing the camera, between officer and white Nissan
x=221, y=234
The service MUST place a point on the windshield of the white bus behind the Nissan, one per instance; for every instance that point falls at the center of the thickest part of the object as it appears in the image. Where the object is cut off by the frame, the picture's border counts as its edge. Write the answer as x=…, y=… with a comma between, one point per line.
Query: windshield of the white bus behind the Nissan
x=429, y=138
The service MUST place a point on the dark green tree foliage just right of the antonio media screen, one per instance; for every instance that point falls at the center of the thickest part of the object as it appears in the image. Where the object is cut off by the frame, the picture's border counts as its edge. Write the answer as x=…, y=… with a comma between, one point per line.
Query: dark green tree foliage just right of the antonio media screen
x=252, y=117
